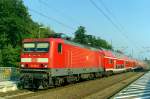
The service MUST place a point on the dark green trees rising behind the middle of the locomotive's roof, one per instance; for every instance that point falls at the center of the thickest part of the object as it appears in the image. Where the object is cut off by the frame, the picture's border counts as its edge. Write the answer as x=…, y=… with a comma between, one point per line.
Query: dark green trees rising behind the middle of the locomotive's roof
x=90, y=40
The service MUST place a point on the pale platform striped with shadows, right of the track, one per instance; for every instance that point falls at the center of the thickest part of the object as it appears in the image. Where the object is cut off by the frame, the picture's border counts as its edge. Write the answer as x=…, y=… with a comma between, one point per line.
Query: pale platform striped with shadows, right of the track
x=140, y=89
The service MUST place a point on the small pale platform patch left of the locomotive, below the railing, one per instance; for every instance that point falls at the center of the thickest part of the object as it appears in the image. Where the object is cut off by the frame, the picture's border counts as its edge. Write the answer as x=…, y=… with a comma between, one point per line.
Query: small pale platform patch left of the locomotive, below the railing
x=6, y=86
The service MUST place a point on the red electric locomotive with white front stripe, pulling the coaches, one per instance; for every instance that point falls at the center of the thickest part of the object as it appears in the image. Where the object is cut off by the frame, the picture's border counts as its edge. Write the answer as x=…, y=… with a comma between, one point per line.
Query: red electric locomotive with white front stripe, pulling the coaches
x=53, y=61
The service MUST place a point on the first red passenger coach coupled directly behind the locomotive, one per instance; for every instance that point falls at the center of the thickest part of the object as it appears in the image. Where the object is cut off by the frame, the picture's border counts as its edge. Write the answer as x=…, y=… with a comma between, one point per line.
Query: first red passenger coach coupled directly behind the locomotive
x=115, y=62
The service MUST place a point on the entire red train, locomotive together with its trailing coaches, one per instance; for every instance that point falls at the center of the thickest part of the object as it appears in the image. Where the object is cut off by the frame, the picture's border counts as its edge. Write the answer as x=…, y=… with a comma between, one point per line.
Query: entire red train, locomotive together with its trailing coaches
x=53, y=61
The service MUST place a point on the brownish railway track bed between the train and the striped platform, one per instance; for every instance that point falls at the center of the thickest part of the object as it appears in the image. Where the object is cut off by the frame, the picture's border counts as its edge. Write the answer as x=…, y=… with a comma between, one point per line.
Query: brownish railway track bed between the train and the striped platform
x=85, y=89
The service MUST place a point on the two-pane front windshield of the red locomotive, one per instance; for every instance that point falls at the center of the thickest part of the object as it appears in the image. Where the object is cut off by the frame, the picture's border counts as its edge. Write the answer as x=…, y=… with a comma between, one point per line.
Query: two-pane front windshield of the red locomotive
x=36, y=47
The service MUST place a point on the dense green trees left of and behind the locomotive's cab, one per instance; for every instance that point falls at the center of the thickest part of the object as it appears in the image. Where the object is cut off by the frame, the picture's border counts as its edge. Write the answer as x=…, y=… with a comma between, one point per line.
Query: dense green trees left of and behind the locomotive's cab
x=15, y=25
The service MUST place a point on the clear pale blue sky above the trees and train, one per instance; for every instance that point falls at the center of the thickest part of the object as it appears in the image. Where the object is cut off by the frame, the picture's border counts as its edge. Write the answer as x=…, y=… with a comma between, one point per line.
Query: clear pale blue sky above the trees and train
x=123, y=23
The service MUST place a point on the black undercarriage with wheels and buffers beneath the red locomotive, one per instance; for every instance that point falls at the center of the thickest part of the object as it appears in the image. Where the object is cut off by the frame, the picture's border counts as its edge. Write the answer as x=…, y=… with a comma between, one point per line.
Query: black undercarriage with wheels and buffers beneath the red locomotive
x=42, y=79
